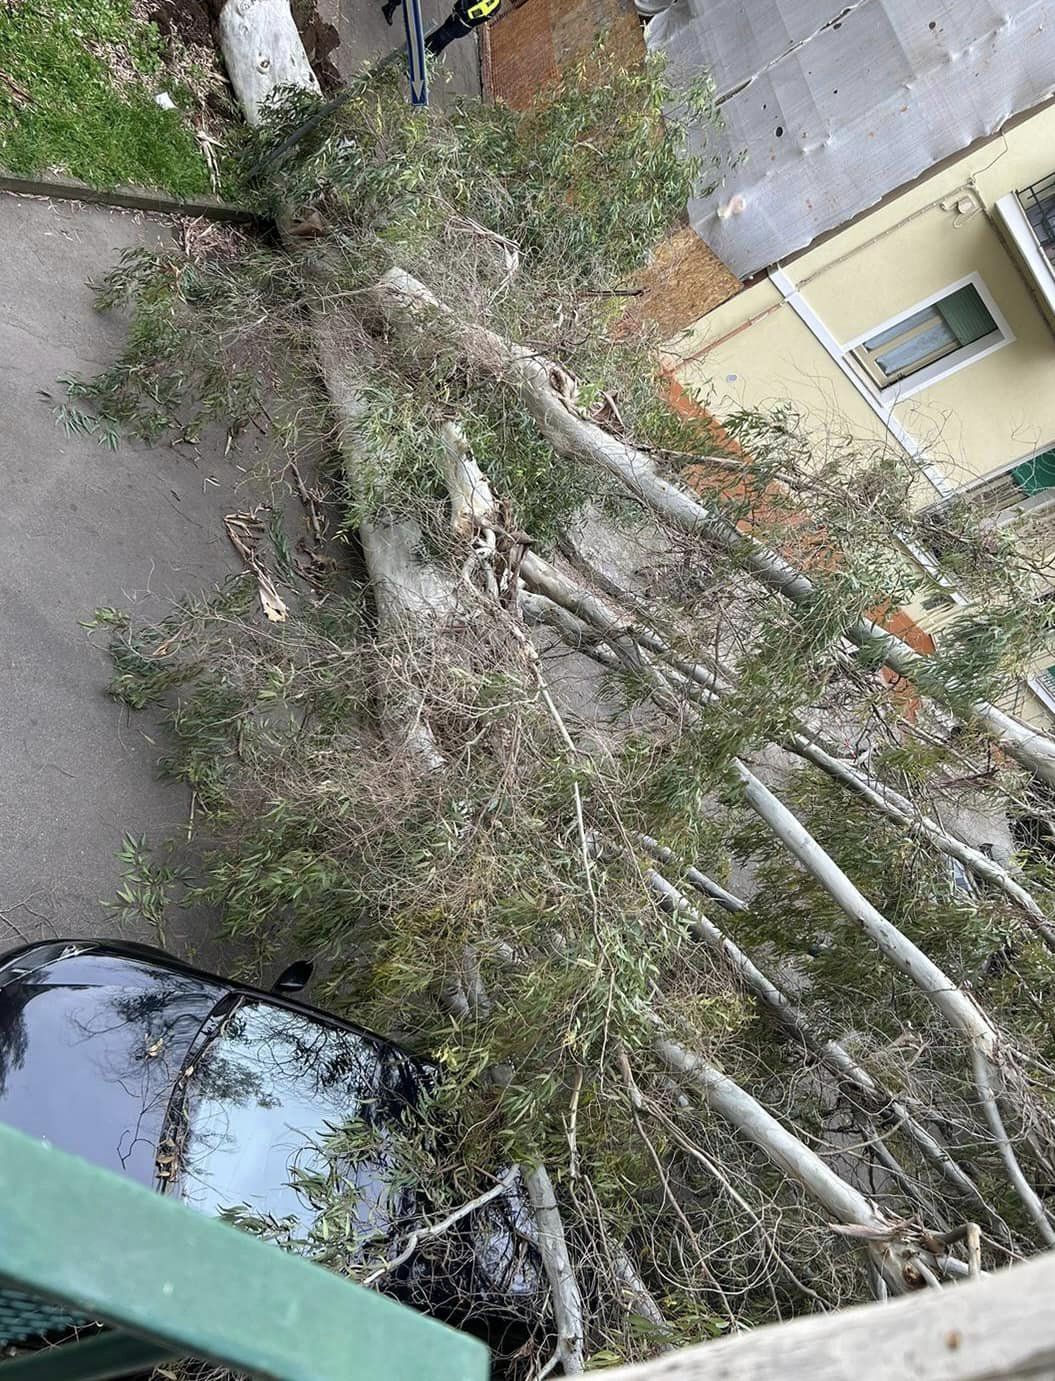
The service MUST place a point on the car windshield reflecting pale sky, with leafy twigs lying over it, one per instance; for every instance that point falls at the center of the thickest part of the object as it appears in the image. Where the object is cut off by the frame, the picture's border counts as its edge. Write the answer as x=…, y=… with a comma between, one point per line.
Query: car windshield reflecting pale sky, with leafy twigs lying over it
x=267, y=1086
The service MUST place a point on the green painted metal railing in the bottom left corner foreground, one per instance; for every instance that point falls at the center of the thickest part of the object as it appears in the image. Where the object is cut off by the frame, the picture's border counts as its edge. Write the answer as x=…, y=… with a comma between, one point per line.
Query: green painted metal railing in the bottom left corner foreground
x=104, y=1248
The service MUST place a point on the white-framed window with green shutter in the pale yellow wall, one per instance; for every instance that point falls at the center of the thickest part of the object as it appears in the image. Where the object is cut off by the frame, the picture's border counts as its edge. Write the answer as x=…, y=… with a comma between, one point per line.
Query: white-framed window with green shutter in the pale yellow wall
x=952, y=329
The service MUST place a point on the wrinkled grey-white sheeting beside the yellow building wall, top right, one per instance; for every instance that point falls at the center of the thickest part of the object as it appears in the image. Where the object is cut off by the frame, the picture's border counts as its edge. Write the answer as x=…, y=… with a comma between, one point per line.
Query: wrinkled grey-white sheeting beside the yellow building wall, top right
x=829, y=107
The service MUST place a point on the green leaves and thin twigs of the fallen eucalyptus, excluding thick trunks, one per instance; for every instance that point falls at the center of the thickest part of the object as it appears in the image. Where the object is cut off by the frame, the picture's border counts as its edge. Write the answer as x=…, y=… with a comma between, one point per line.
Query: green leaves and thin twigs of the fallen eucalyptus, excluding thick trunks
x=495, y=915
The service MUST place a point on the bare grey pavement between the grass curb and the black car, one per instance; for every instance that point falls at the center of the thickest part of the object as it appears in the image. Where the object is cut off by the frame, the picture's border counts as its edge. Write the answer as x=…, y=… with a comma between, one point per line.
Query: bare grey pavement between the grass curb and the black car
x=82, y=527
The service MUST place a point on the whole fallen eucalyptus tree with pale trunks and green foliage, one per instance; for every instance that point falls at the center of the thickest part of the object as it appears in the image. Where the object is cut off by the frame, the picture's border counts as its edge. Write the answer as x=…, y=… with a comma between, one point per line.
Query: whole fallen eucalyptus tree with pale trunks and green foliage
x=466, y=814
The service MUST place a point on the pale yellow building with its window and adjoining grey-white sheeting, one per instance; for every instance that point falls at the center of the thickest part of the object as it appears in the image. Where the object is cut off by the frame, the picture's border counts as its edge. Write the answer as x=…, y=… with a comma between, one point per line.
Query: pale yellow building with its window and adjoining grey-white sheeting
x=911, y=307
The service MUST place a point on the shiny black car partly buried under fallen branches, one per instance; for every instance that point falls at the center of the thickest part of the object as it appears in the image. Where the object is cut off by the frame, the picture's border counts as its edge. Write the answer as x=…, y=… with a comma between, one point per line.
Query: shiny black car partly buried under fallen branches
x=220, y=1094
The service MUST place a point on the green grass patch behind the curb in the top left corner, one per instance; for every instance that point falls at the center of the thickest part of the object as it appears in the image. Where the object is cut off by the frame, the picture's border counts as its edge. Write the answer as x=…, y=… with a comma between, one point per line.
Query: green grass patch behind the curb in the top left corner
x=78, y=85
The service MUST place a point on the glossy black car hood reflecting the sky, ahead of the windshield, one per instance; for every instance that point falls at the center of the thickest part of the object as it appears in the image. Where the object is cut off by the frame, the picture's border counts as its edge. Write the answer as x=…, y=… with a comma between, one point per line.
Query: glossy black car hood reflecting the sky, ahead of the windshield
x=90, y=1049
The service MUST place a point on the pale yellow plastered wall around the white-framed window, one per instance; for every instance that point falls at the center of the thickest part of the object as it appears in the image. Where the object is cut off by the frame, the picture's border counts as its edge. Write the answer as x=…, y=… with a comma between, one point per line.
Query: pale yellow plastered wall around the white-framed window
x=755, y=351
